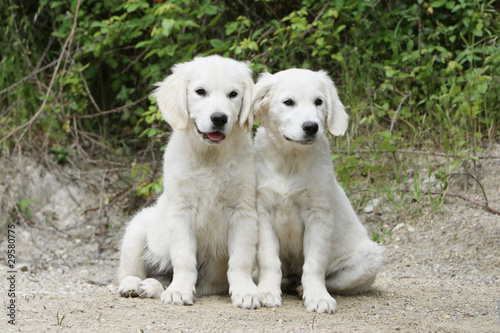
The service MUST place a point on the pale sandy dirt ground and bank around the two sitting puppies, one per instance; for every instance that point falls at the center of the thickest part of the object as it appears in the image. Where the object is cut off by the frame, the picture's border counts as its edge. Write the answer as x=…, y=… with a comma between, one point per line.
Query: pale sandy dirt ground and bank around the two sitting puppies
x=442, y=270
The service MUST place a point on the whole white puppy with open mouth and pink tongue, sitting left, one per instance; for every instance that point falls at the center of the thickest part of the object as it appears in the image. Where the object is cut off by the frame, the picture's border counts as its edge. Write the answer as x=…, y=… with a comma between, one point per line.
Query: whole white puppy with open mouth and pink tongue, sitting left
x=202, y=232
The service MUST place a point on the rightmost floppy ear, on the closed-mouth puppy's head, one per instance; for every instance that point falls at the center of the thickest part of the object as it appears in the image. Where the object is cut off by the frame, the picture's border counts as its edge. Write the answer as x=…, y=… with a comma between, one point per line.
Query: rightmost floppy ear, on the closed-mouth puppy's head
x=336, y=118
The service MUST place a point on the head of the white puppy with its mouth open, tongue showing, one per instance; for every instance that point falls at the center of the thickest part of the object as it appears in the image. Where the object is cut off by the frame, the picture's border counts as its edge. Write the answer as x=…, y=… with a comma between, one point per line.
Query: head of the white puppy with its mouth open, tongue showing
x=208, y=96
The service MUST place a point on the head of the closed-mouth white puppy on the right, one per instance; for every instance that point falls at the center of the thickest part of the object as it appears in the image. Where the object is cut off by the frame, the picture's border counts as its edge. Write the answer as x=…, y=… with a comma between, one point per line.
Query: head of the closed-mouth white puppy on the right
x=298, y=104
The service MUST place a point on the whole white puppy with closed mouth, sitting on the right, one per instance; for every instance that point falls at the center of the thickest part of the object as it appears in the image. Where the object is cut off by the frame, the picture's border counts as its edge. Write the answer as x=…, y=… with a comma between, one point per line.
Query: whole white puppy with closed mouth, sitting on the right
x=308, y=231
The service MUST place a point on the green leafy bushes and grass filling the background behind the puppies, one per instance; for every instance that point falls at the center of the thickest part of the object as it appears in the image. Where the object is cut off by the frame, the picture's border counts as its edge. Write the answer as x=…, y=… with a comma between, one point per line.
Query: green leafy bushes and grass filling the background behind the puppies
x=413, y=75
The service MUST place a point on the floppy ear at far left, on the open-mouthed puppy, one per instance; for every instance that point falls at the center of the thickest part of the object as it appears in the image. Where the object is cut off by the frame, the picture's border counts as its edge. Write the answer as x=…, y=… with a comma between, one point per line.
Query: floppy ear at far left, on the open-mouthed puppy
x=171, y=97
